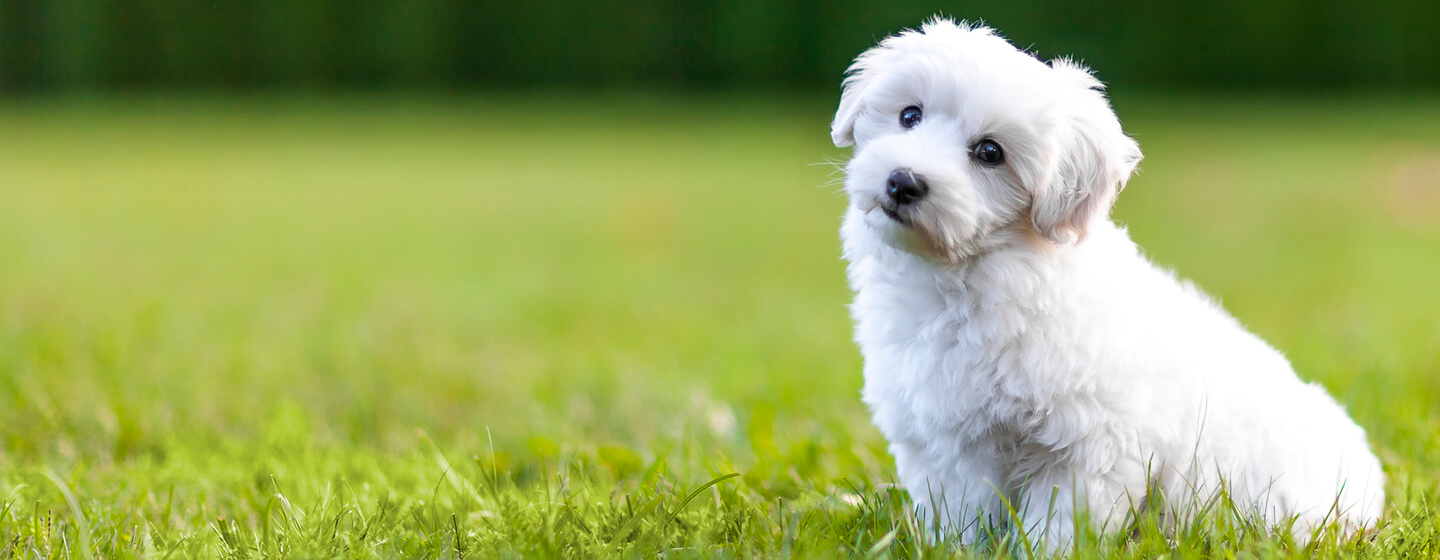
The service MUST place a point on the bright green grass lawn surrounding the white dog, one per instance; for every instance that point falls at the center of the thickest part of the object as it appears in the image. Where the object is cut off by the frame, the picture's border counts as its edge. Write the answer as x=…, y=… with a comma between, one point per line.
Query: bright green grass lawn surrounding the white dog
x=503, y=328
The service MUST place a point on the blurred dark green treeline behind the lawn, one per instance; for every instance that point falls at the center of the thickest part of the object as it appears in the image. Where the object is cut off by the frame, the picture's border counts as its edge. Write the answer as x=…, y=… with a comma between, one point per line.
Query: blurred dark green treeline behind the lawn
x=120, y=45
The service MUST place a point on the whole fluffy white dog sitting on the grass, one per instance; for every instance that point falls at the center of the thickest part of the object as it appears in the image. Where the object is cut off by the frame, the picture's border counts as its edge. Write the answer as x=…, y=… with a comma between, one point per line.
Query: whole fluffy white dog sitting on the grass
x=1022, y=355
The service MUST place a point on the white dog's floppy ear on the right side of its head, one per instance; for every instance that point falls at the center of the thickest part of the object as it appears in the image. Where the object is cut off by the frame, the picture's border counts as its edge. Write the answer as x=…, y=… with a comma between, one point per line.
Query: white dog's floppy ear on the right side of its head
x=1091, y=161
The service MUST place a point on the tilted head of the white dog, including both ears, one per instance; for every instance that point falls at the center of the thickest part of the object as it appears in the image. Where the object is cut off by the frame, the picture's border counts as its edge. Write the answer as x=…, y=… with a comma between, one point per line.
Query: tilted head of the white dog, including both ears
x=966, y=143
